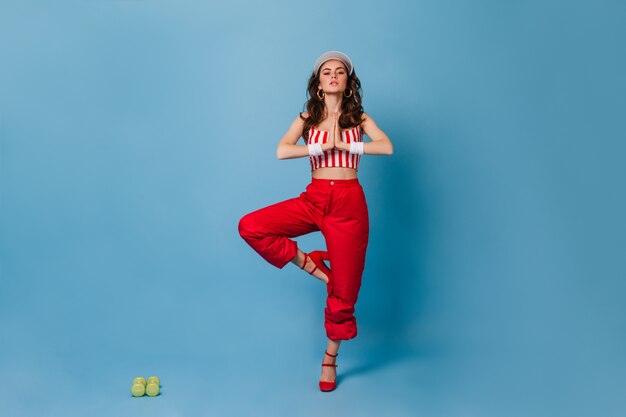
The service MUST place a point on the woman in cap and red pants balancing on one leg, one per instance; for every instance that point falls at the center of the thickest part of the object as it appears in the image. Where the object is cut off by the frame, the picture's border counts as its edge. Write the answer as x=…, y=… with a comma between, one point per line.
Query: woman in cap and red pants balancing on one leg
x=333, y=202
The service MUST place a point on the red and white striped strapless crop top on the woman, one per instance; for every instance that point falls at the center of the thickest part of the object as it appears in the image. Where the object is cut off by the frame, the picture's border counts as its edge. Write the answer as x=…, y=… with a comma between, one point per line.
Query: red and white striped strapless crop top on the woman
x=335, y=158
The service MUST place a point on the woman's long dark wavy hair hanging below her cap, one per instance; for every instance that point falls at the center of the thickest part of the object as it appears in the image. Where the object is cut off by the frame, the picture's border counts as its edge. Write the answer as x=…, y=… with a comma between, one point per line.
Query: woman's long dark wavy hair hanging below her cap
x=351, y=107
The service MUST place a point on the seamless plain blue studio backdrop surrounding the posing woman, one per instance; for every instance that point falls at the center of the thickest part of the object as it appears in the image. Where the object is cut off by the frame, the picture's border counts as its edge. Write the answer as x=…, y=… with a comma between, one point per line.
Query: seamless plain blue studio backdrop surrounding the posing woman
x=135, y=134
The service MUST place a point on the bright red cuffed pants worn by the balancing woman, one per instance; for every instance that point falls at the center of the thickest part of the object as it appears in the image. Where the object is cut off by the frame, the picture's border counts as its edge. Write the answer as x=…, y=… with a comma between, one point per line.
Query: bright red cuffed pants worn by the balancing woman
x=338, y=209
